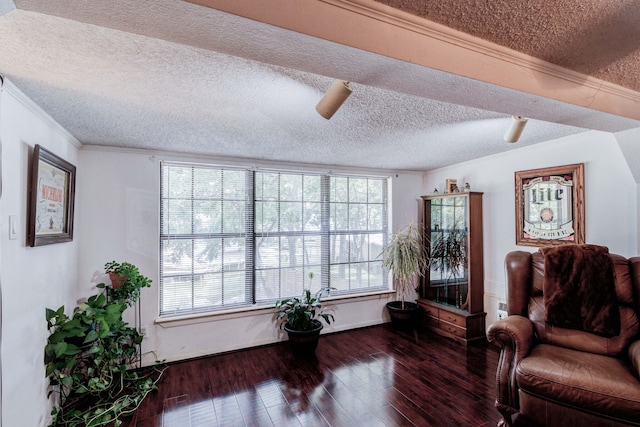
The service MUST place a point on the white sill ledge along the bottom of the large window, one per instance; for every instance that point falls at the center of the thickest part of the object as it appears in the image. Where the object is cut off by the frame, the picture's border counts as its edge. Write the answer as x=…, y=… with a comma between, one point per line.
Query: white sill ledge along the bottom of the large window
x=190, y=319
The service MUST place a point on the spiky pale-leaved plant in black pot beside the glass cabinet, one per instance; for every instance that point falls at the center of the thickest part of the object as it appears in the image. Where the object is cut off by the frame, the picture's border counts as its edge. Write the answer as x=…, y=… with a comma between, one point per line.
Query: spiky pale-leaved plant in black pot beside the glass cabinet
x=405, y=256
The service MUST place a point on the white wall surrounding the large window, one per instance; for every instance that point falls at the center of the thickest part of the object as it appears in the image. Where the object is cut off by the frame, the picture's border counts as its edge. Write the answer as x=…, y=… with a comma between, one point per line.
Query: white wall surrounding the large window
x=120, y=221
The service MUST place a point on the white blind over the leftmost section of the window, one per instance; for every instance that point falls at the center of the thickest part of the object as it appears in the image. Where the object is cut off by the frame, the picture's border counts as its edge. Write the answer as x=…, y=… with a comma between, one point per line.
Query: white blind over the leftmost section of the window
x=206, y=238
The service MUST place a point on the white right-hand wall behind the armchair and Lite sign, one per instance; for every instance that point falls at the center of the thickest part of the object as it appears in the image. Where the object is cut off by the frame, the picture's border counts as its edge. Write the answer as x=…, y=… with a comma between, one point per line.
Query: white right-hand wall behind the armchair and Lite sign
x=610, y=198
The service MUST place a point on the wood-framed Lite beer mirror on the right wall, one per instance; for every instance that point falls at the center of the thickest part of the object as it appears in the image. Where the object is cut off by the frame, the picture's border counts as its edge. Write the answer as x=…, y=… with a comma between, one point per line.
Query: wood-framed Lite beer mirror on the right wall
x=550, y=206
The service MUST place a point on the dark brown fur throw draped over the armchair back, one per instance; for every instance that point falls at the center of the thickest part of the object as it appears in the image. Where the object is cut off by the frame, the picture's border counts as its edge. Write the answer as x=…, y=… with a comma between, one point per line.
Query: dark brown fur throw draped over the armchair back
x=579, y=289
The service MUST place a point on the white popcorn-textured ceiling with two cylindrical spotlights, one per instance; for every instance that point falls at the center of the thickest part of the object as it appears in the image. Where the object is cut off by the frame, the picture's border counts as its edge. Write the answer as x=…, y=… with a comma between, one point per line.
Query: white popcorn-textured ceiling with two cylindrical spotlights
x=171, y=75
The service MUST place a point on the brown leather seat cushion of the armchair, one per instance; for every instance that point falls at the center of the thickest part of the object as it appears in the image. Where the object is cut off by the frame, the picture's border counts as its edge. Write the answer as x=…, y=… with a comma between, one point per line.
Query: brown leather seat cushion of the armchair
x=592, y=382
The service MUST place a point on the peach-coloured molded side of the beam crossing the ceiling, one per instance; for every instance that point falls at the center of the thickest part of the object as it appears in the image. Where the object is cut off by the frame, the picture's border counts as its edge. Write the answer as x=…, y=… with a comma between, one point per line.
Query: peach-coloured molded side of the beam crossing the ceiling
x=380, y=29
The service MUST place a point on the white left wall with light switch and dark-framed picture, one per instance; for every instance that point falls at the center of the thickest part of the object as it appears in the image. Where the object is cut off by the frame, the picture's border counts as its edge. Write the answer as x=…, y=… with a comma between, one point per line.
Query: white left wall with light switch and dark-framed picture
x=32, y=279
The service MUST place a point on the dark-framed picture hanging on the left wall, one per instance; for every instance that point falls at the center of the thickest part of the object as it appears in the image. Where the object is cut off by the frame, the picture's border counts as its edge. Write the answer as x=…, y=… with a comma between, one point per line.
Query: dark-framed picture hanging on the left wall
x=51, y=198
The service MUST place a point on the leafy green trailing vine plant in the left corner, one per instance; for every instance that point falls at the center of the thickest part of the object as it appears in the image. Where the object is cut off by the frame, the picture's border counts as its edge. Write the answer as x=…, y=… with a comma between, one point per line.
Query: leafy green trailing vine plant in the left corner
x=90, y=356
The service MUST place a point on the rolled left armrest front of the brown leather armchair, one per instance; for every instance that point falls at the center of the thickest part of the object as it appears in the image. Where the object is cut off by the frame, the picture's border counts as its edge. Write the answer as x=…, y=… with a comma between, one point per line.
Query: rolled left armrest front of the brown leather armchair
x=514, y=336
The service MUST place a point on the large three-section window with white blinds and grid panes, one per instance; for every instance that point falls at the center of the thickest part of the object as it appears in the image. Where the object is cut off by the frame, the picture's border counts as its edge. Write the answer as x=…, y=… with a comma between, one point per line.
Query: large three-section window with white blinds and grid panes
x=234, y=237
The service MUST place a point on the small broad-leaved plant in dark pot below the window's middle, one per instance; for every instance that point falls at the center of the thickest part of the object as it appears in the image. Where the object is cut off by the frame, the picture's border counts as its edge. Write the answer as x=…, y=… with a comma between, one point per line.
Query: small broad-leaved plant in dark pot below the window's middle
x=301, y=318
